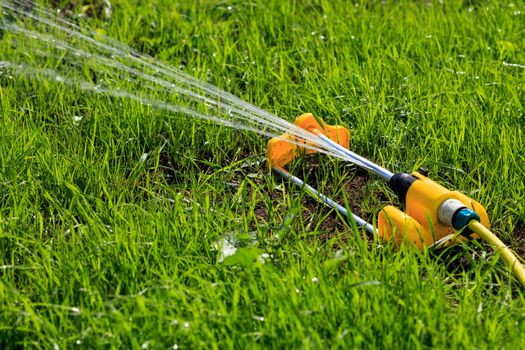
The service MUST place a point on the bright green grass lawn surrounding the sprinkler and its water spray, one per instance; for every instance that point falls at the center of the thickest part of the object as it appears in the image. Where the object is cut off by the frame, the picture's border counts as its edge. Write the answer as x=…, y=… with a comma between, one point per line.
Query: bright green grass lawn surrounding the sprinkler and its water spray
x=100, y=249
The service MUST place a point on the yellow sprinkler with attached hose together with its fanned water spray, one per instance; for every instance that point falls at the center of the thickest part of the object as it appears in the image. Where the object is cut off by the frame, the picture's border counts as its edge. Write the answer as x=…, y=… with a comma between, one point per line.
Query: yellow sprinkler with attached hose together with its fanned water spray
x=43, y=46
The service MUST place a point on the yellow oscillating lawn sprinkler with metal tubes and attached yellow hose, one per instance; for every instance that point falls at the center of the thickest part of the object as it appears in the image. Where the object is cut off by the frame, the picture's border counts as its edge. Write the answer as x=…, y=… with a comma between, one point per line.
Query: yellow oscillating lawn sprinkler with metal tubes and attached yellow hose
x=434, y=216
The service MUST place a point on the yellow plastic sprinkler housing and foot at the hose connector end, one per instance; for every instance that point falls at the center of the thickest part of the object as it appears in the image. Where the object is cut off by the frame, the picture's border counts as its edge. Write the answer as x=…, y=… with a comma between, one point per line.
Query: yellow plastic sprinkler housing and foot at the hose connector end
x=420, y=224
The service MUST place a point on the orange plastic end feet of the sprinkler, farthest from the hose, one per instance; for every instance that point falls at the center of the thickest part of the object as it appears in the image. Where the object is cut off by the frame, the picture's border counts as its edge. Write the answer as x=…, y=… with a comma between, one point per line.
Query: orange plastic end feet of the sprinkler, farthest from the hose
x=282, y=150
